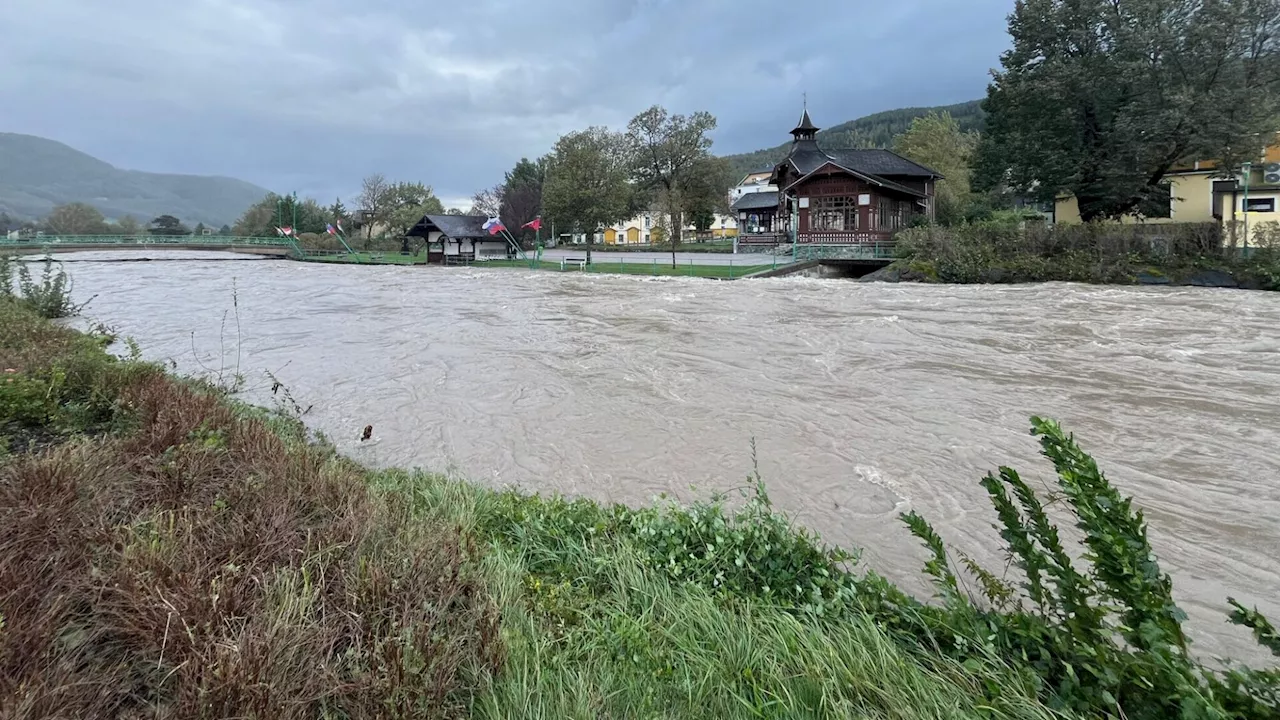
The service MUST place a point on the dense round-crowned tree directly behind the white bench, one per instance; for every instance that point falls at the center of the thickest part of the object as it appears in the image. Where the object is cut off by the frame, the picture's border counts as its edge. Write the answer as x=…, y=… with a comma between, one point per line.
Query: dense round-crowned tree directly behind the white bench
x=588, y=183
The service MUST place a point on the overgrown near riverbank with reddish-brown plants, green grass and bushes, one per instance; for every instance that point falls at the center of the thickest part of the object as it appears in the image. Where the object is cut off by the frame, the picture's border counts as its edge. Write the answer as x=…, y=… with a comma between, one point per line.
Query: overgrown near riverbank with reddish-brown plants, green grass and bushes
x=202, y=554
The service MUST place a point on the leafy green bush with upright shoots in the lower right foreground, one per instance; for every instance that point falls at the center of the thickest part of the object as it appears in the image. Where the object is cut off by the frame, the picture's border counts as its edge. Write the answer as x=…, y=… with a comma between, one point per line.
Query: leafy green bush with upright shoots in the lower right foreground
x=1108, y=640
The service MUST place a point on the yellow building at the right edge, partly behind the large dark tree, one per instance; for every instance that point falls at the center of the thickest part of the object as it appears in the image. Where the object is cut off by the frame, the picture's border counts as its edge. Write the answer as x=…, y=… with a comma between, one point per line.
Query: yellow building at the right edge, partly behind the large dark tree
x=1201, y=193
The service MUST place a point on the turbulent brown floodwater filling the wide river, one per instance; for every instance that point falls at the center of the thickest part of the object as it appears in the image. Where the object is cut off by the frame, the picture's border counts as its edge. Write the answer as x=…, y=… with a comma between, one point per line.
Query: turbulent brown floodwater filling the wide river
x=863, y=400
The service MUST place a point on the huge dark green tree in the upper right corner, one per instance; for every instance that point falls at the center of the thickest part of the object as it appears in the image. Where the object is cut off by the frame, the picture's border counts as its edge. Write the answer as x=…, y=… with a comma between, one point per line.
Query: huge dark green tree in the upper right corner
x=1101, y=98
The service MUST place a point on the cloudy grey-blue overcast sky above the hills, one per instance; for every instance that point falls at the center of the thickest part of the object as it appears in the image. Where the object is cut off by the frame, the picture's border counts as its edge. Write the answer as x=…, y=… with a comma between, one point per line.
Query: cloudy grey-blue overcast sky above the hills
x=312, y=95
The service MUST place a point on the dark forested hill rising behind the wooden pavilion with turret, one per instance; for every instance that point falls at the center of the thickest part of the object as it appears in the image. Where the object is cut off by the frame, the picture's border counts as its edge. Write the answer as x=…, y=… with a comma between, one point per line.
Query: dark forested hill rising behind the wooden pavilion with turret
x=872, y=131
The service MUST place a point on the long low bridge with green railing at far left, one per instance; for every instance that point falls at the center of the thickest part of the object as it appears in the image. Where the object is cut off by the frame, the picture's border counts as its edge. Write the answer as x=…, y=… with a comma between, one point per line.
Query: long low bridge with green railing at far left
x=268, y=247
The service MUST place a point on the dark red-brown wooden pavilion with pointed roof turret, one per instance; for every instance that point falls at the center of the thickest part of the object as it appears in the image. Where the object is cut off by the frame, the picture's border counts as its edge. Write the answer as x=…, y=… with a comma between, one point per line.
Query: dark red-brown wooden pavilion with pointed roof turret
x=835, y=198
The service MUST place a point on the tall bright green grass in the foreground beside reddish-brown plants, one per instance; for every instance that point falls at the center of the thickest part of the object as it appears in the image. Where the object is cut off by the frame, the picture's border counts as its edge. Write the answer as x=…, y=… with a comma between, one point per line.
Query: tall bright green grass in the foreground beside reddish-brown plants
x=596, y=627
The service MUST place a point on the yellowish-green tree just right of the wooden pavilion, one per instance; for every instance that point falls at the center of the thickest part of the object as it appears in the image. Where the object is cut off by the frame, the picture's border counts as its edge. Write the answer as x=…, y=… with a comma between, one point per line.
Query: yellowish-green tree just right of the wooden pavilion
x=938, y=143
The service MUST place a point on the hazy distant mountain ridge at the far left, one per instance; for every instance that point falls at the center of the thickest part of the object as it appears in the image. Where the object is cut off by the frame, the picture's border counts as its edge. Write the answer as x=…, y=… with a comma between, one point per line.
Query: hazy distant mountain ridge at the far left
x=39, y=174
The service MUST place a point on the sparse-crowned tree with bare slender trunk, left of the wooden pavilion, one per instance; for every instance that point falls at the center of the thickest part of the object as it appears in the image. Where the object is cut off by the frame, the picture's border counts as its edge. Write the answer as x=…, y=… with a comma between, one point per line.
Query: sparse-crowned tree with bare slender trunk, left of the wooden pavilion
x=666, y=153
